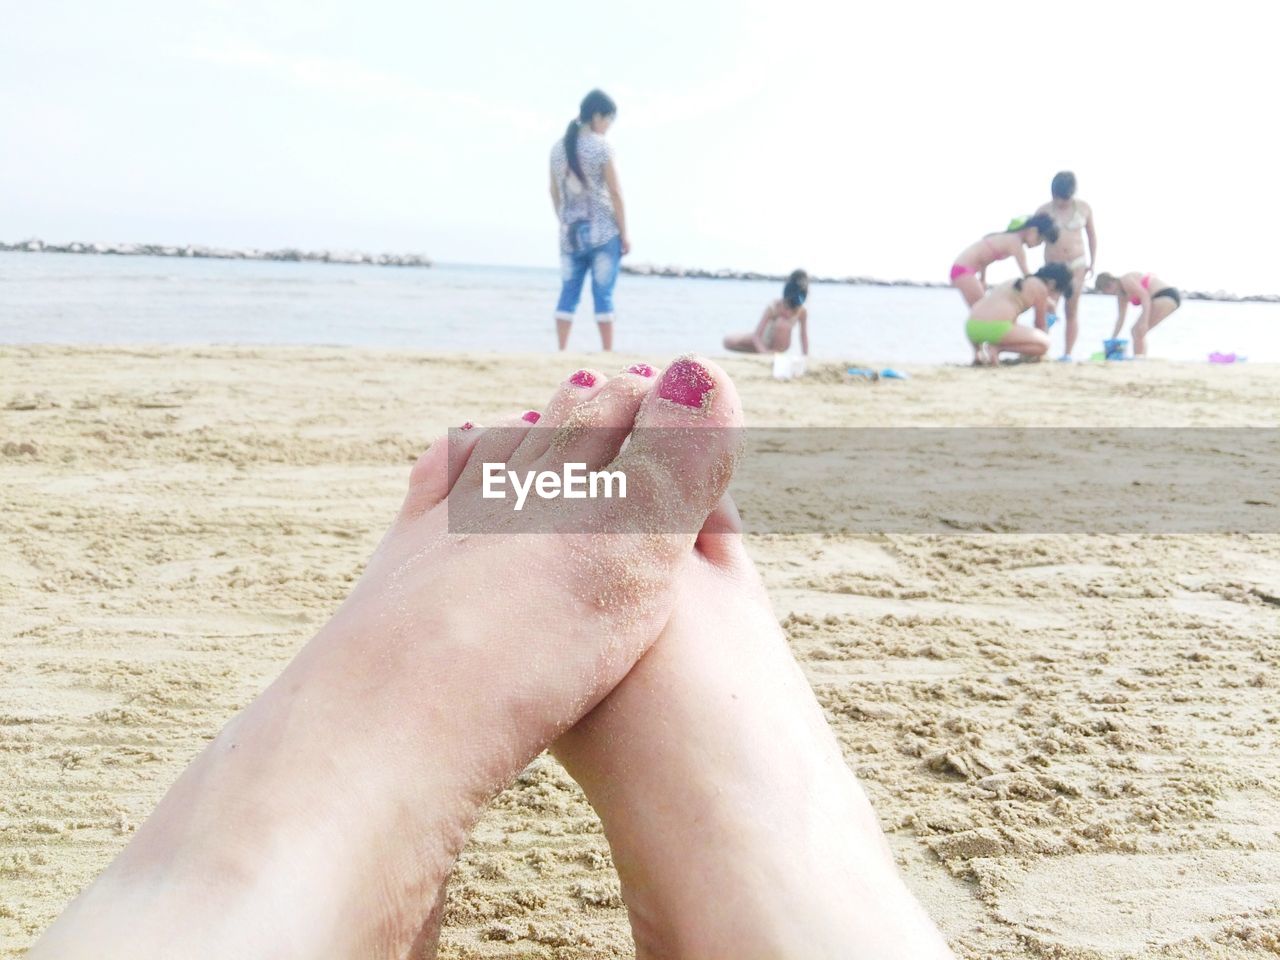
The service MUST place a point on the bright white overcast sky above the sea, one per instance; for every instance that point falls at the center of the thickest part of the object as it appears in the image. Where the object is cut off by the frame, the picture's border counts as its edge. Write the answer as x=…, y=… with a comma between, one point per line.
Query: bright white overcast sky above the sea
x=848, y=139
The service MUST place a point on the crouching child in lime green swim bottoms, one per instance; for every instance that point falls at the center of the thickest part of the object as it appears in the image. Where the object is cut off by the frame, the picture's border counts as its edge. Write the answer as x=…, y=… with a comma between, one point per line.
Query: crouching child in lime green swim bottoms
x=993, y=327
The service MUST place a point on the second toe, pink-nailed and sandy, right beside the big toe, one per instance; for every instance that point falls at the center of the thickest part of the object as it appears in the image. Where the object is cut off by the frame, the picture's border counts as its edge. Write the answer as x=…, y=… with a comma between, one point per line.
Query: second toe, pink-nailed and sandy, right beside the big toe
x=593, y=432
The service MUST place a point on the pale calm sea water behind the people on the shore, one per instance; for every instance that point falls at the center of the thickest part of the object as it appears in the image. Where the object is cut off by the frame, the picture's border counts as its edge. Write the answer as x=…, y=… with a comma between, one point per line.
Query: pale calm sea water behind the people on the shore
x=116, y=300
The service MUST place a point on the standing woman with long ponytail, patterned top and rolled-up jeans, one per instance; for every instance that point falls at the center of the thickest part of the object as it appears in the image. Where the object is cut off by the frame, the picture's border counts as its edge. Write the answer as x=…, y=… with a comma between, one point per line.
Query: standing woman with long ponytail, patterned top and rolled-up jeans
x=589, y=207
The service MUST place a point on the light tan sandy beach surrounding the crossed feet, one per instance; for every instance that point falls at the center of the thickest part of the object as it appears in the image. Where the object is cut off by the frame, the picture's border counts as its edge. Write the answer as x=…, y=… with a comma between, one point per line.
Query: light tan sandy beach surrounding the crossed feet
x=1072, y=740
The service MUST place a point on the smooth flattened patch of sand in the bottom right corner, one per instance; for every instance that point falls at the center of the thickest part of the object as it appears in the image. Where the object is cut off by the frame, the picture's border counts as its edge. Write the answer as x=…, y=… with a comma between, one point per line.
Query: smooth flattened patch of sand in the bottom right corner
x=1123, y=904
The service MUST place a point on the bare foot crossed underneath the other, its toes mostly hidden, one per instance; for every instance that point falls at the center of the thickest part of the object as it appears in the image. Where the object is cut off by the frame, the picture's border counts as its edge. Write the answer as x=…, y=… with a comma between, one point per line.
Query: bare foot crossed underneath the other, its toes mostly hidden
x=735, y=825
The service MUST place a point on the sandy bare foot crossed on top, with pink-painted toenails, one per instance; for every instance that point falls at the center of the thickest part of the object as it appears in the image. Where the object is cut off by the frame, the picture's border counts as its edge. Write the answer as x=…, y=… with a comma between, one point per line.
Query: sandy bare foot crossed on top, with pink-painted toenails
x=324, y=820
